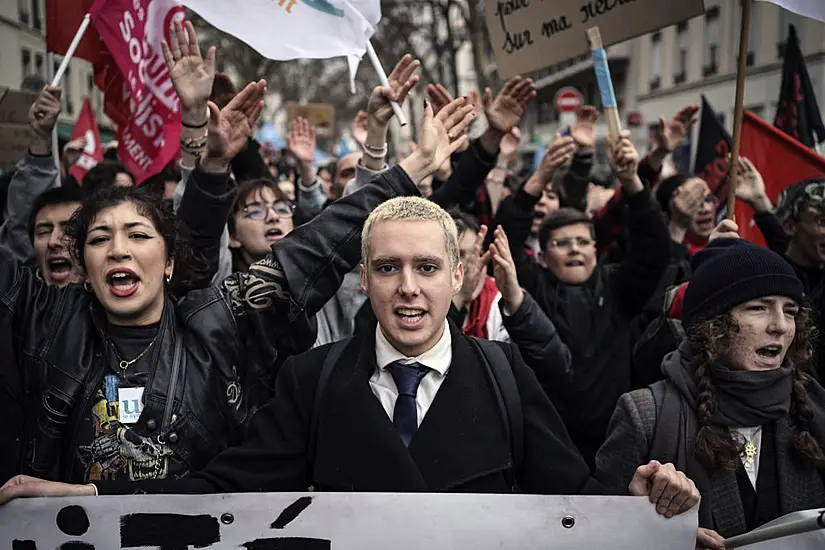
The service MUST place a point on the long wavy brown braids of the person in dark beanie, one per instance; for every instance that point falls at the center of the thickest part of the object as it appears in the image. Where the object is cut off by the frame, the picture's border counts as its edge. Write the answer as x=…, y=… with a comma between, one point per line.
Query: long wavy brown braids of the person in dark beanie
x=717, y=447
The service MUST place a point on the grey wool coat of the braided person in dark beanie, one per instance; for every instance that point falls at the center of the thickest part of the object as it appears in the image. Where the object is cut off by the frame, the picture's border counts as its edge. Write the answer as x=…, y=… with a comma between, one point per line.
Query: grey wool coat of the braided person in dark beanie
x=630, y=438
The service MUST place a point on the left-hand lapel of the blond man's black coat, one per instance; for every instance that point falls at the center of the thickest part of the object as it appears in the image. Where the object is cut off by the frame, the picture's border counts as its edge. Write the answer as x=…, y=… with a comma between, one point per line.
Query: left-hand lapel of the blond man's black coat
x=358, y=446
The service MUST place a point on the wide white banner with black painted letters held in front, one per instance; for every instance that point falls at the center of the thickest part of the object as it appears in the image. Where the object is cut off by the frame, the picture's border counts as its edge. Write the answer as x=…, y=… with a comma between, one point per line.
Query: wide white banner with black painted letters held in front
x=326, y=521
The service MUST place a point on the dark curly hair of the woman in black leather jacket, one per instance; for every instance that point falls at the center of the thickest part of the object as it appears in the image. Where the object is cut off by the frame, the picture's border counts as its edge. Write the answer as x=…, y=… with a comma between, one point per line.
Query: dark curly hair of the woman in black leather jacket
x=174, y=233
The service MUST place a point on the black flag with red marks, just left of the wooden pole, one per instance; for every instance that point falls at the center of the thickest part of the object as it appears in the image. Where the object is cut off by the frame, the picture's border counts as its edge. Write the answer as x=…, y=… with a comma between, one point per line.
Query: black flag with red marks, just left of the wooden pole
x=712, y=152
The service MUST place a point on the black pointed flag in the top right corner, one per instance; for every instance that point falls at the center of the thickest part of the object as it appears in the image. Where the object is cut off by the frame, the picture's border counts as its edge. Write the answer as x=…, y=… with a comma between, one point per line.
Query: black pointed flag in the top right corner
x=798, y=114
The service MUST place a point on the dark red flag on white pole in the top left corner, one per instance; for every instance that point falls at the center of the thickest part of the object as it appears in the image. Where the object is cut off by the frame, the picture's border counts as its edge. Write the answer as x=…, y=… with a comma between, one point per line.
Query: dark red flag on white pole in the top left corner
x=63, y=18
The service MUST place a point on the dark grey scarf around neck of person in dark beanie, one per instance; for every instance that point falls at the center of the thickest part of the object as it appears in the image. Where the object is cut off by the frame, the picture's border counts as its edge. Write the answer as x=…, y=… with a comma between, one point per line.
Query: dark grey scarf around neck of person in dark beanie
x=745, y=398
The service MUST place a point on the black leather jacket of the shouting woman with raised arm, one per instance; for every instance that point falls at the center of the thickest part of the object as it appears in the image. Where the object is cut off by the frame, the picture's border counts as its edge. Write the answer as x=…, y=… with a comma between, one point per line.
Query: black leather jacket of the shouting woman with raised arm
x=217, y=349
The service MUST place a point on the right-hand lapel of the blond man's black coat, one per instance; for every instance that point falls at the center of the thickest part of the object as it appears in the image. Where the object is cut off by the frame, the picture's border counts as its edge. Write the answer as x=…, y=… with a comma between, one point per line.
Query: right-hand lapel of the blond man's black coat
x=462, y=437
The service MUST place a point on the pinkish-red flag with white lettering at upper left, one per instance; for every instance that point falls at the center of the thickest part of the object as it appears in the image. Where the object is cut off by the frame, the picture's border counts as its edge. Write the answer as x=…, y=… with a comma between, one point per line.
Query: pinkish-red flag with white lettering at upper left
x=132, y=31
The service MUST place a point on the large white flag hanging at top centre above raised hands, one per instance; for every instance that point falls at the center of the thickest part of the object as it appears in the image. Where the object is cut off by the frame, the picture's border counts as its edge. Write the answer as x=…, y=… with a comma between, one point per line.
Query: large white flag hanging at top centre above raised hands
x=295, y=29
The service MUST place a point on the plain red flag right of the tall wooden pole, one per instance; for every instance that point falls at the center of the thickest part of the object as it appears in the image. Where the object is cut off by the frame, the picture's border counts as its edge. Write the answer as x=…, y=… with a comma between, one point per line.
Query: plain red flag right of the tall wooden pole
x=780, y=159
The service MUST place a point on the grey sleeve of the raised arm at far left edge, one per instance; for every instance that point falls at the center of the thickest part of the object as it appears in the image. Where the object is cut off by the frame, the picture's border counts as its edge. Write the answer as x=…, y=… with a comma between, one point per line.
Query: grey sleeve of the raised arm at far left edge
x=33, y=177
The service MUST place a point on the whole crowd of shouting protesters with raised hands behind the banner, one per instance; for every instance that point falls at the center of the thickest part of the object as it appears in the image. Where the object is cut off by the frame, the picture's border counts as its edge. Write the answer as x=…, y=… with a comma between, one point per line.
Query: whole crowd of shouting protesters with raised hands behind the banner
x=246, y=321
